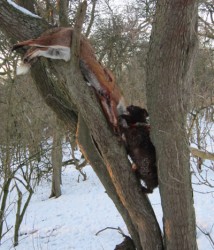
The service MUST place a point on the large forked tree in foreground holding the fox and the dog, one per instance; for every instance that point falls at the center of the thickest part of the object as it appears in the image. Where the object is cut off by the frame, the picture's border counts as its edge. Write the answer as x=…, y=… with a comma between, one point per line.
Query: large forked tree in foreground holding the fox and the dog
x=70, y=97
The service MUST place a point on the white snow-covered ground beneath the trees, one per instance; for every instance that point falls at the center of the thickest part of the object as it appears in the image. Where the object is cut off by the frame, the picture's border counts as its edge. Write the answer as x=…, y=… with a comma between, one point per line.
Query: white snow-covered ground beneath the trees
x=72, y=220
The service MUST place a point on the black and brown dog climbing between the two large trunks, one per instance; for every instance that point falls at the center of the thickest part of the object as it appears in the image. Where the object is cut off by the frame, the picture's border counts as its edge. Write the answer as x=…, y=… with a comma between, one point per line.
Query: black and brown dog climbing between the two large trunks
x=136, y=135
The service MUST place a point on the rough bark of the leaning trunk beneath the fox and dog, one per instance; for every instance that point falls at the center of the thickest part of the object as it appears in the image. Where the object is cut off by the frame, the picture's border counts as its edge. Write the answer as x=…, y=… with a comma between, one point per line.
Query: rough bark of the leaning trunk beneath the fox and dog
x=70, y=95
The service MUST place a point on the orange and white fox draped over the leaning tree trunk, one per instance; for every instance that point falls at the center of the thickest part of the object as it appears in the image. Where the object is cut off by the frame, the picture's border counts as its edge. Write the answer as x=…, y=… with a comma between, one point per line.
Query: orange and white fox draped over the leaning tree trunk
x=56, y=44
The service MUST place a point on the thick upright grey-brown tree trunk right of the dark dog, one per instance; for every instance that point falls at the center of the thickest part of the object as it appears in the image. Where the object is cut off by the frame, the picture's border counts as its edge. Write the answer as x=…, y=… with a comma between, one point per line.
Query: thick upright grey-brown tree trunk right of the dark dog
x=169, y=69
